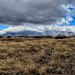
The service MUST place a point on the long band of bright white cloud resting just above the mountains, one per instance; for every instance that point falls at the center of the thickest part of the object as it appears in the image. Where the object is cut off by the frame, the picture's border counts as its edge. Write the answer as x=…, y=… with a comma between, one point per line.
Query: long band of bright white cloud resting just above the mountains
x=39, y=28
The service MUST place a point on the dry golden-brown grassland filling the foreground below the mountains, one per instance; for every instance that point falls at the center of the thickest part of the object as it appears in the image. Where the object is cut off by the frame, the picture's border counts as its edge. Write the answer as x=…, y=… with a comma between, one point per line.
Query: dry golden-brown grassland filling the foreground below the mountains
x=33, y=56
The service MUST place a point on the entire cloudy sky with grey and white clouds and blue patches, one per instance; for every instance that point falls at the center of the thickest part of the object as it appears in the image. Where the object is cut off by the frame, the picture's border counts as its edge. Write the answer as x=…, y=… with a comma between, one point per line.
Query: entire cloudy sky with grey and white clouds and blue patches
x=37, y=15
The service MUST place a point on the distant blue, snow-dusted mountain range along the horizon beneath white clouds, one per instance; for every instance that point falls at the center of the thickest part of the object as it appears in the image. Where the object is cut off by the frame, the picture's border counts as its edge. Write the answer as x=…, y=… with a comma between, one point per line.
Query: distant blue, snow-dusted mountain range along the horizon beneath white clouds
x=36, y=33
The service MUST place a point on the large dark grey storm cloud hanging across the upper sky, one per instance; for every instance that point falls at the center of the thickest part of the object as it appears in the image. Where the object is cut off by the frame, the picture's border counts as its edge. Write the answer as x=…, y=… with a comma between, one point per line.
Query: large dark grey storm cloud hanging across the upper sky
x=16, y=12
